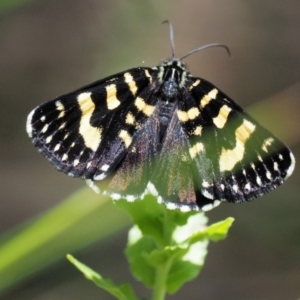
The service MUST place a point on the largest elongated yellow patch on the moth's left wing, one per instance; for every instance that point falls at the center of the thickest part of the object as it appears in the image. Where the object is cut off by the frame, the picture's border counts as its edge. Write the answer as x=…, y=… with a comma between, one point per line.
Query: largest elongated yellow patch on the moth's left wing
x=90, y=134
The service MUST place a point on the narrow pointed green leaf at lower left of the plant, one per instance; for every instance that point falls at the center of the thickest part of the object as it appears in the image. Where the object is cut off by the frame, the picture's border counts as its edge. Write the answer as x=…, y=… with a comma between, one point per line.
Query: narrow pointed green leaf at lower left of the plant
x=121, y=292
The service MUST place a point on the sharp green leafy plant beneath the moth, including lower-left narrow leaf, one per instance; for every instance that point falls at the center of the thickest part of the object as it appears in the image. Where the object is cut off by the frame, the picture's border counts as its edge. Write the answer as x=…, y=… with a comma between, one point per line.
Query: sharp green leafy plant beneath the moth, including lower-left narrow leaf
x=165, y=248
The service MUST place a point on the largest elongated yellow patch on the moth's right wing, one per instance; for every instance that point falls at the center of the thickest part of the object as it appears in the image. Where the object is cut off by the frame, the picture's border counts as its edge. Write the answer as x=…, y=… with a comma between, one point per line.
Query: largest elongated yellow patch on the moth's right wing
x=230, y=157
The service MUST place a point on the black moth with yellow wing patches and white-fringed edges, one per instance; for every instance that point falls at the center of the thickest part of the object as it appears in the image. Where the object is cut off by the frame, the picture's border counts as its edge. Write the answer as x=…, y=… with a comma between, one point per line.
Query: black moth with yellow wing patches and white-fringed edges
x=161, y=131
